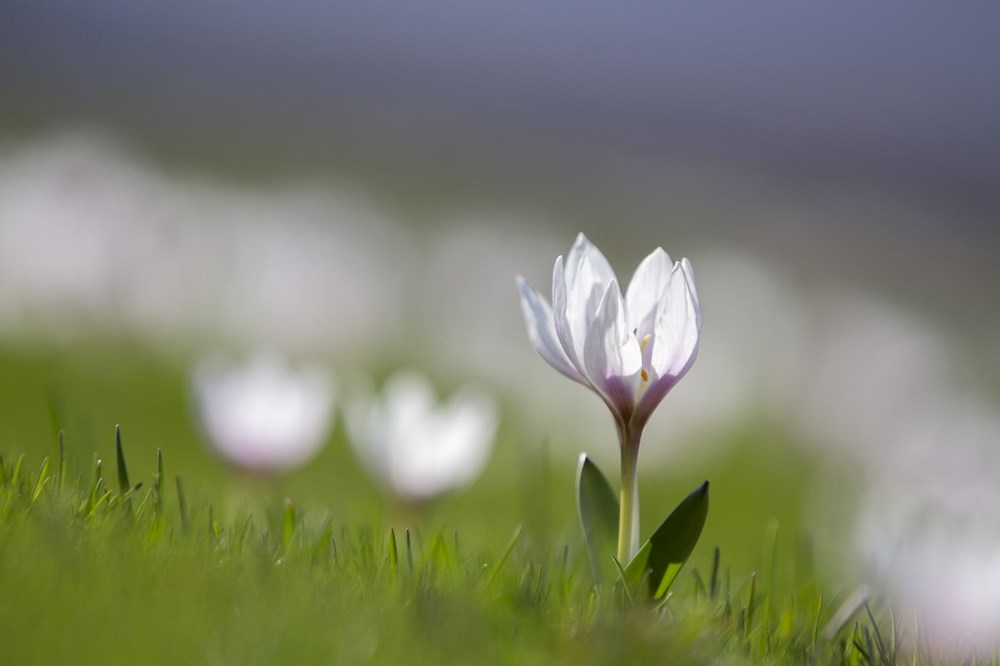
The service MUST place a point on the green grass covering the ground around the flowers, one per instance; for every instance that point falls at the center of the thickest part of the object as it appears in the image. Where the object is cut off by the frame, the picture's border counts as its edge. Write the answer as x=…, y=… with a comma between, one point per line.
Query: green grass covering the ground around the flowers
x=143, y=558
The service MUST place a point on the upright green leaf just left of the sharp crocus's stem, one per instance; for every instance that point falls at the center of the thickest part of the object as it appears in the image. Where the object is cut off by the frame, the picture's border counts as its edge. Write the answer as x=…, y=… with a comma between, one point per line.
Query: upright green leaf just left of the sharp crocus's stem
x=597, y=507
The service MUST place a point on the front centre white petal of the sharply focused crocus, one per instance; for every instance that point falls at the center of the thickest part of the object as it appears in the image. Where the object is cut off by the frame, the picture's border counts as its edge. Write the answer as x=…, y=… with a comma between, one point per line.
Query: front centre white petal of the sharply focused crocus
x=612, y=356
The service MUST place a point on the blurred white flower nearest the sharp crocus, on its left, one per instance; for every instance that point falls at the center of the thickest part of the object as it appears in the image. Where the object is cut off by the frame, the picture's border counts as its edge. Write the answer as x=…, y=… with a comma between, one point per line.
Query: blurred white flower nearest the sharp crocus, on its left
x=418, y=447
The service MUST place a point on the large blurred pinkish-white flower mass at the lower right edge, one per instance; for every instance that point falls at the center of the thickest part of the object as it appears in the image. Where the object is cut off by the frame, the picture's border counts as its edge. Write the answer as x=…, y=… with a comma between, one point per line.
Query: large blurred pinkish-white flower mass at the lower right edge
x=928, y=521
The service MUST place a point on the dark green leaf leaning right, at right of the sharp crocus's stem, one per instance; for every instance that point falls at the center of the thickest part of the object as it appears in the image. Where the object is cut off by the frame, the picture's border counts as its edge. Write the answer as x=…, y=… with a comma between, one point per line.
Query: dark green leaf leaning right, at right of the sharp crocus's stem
x=671, y=545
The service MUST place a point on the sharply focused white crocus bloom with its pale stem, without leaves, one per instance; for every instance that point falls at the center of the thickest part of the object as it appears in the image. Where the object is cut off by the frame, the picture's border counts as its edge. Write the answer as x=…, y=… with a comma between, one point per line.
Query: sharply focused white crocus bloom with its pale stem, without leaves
x=630, y=350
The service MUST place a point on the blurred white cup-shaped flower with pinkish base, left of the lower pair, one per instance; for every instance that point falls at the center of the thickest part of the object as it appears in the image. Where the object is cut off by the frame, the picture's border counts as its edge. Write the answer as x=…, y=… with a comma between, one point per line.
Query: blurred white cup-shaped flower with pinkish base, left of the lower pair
x=264, y=415
